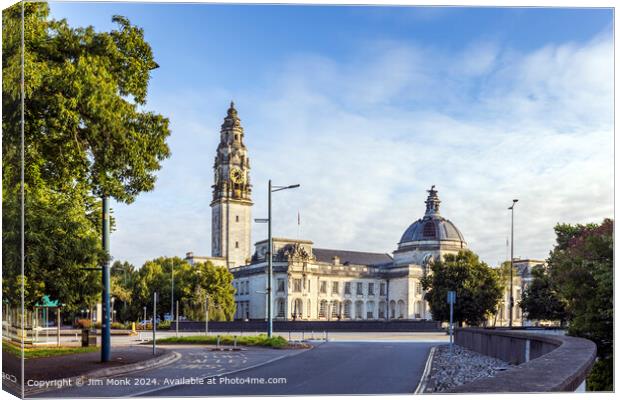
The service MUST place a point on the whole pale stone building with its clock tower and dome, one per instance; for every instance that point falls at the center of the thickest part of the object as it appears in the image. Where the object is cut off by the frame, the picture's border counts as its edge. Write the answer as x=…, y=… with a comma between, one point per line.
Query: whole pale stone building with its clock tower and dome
x=313, y=283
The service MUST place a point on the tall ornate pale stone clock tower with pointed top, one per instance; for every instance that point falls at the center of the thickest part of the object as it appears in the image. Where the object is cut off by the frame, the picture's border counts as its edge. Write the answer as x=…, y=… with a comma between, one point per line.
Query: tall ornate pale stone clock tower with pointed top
x=231, y=207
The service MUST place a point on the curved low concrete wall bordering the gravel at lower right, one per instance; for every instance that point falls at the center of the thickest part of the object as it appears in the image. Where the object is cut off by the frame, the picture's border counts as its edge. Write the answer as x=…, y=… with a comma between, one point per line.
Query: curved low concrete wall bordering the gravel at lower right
x=549, y=363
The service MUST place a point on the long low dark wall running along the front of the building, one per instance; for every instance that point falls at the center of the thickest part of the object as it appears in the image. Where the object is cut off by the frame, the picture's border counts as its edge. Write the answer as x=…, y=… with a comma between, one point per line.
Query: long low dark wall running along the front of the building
x=316, y=326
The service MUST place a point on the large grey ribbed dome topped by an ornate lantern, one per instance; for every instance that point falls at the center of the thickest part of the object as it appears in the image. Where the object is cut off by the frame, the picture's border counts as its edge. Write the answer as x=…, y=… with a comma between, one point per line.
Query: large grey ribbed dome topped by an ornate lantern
x=432, y=227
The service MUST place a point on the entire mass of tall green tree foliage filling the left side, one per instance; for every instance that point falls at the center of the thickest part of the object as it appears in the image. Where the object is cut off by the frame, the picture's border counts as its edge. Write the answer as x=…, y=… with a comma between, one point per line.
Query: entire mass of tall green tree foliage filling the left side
x=86, y=136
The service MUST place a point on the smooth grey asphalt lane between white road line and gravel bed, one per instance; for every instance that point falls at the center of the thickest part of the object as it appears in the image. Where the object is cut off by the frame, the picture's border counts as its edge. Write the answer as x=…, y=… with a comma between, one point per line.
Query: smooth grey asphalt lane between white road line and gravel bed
x=330, y=368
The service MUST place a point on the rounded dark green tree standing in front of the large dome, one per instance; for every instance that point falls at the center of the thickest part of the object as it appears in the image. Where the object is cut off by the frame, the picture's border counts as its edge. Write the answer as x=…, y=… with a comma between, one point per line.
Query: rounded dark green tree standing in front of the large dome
x=477, y=288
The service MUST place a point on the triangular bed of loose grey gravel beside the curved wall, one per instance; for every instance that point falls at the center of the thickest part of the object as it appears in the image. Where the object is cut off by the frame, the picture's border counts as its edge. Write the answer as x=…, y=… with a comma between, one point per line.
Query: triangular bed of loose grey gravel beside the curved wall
x=462, y=366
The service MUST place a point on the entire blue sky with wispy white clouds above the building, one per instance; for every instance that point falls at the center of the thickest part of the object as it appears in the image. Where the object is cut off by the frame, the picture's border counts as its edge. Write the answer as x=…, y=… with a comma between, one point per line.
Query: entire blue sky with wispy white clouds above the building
x=366, y=108
